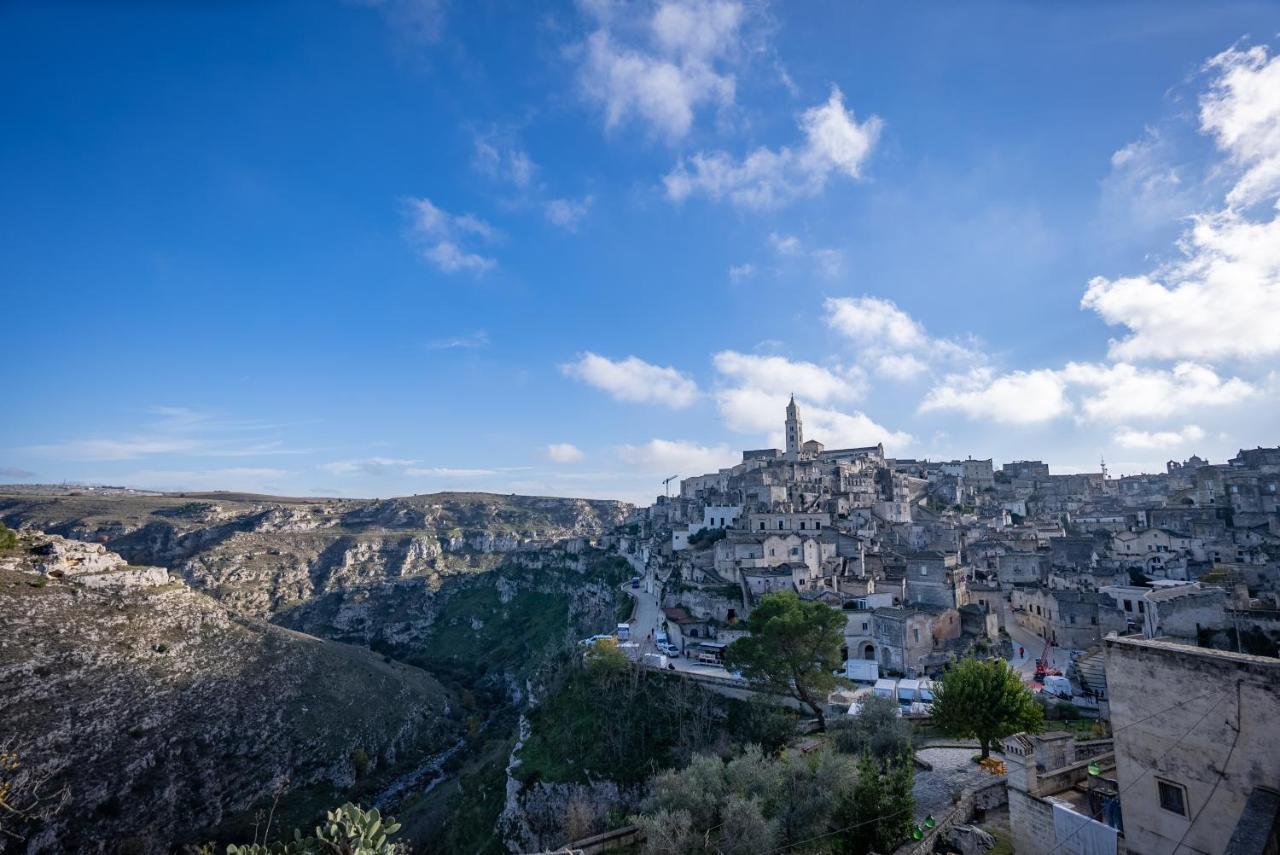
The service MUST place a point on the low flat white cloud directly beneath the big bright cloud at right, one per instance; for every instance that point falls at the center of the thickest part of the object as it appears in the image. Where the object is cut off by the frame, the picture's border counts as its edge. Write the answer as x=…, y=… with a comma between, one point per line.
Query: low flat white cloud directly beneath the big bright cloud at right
x=1124, y=392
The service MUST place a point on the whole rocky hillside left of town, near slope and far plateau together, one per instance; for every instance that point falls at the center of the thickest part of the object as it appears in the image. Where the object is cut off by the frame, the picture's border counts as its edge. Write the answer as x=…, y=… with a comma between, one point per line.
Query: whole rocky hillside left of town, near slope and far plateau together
x=171, y=688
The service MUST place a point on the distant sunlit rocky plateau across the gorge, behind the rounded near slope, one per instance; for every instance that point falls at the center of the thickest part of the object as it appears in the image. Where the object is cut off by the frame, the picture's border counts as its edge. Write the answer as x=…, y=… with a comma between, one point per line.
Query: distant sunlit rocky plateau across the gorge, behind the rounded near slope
x=267, y=559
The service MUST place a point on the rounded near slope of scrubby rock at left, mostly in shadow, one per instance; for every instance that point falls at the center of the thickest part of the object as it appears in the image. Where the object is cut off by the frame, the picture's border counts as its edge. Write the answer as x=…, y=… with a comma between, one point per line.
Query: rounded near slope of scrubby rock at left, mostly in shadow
x=154, y=715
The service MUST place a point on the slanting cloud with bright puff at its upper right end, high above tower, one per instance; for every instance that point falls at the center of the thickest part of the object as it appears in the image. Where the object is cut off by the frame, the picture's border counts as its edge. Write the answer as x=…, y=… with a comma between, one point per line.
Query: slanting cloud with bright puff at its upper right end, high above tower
x=834, y=144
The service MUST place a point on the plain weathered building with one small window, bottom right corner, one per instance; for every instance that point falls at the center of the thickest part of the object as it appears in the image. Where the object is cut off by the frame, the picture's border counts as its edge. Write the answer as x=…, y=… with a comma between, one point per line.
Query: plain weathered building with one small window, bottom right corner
x=1197, y=756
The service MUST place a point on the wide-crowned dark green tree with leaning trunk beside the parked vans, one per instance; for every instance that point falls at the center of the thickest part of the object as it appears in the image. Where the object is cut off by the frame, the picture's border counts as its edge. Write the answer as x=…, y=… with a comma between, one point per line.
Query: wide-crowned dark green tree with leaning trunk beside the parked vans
x=793, y=648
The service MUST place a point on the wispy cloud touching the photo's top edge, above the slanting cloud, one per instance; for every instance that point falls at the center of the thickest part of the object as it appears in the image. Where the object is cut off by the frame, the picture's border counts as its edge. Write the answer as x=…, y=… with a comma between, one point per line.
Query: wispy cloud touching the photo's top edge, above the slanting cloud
x=674, y=72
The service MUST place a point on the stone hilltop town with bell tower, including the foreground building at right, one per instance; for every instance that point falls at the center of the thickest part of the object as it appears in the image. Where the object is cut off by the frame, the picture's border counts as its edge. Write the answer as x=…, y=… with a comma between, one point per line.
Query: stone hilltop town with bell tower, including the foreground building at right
x=1148, y=602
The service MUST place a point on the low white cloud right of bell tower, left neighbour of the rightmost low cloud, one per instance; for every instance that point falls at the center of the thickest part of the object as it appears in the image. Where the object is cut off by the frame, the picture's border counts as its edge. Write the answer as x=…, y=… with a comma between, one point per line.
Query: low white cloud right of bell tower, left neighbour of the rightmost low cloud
x=1016, y=399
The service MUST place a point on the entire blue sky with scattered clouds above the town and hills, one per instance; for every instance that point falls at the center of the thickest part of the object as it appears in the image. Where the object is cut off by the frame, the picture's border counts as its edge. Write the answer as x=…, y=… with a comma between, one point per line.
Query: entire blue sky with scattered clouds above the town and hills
x=397, y=246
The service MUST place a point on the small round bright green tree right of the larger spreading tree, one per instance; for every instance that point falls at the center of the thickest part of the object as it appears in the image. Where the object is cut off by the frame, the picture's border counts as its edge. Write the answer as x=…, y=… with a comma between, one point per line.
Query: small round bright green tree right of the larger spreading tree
x=985, y=701
